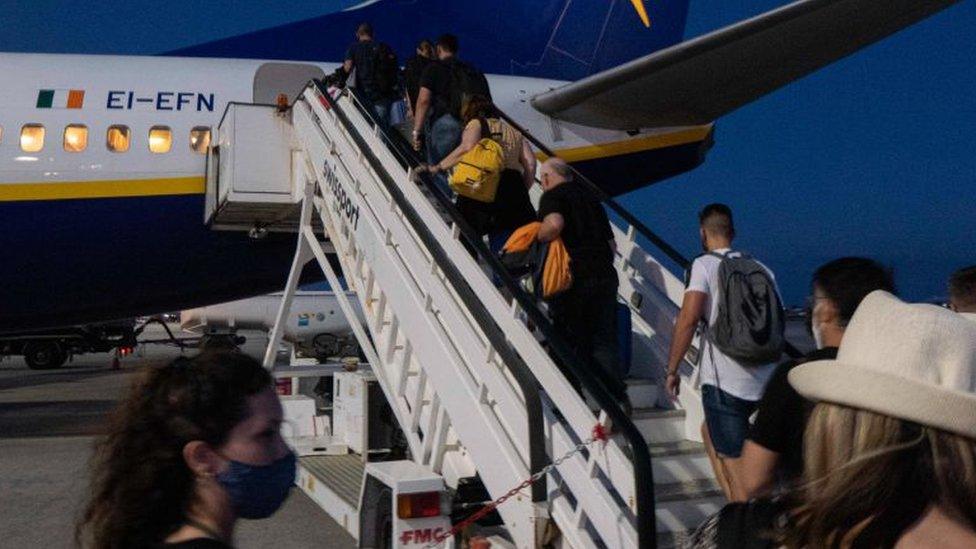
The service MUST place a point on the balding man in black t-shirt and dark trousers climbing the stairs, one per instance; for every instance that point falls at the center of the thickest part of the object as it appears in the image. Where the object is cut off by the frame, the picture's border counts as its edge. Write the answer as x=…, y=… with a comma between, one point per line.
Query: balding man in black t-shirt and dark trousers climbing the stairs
x=586, y=314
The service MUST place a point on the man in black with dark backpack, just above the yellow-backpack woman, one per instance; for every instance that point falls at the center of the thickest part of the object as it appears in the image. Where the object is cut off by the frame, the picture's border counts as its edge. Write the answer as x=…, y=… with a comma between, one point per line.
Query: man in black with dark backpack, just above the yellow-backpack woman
x=445, y=88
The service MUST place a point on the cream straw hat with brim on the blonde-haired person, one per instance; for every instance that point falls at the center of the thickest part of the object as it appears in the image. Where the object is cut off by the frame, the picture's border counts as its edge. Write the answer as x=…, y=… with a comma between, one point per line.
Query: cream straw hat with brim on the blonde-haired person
x=913, y=362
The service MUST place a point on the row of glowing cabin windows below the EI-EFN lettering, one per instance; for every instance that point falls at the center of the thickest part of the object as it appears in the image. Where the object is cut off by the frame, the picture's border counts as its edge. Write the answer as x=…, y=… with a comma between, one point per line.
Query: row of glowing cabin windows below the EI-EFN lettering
x=118, y=138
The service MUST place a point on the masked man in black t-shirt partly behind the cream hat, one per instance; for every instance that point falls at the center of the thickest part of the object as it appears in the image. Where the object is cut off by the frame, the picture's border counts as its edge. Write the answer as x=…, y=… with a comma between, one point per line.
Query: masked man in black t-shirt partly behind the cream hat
x=773, y=450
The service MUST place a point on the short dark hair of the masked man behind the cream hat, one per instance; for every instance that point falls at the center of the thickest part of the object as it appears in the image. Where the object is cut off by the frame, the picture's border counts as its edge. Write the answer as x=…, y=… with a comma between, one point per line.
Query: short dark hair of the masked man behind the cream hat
x=848, y=280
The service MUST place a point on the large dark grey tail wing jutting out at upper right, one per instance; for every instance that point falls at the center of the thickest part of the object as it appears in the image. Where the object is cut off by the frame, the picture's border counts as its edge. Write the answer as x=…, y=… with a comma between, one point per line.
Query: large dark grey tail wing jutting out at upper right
x=697, y=81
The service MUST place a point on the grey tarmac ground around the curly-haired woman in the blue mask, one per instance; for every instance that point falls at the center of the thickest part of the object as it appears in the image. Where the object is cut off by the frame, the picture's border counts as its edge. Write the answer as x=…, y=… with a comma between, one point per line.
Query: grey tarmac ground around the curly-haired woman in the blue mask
x=48, y=423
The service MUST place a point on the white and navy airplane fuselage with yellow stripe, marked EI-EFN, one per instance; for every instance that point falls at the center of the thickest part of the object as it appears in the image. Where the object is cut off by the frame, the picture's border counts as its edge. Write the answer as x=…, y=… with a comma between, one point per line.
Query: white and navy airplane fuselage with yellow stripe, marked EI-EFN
x=102, y=163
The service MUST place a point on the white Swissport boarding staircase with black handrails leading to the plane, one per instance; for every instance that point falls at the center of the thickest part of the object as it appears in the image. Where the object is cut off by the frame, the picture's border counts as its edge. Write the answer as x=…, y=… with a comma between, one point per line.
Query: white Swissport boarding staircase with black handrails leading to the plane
x=464, y=364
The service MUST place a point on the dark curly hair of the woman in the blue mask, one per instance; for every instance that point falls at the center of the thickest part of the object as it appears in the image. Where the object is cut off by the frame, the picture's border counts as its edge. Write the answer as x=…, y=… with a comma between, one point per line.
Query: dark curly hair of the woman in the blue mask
x=141, y=487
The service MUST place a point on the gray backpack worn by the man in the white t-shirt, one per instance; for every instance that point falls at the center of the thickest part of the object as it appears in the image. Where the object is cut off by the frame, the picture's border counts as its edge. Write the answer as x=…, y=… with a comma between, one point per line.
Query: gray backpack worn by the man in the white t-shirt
x=751, y=322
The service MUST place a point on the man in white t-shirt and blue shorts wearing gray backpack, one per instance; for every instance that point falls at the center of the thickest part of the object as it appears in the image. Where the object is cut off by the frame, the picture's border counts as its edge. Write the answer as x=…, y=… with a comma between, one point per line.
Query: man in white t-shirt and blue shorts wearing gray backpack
x=736, y=299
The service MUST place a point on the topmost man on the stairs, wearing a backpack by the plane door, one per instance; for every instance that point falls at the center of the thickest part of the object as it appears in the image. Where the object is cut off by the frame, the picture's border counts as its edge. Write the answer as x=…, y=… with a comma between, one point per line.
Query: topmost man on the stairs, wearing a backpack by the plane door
x=377, y=72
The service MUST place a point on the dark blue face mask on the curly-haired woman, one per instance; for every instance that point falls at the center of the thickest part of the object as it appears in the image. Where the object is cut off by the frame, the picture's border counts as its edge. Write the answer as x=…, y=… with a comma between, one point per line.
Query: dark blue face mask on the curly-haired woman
x=257, y=491
